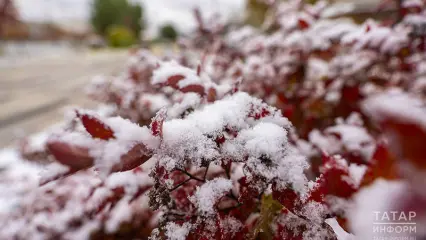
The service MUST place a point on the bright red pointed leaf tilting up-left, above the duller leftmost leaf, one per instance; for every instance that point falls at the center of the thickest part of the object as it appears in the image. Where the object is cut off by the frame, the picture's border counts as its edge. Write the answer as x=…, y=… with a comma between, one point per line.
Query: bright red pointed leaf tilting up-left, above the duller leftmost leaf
x=96, y=127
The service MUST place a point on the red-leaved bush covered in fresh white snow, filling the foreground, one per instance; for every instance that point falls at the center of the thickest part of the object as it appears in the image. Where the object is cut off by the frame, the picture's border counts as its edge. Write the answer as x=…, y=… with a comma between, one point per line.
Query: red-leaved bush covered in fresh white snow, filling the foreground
x=292, y=131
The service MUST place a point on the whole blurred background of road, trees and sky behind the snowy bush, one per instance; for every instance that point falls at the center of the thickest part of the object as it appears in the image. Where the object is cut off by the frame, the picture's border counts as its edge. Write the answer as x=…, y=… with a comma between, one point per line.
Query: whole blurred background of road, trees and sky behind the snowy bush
x=50, y=49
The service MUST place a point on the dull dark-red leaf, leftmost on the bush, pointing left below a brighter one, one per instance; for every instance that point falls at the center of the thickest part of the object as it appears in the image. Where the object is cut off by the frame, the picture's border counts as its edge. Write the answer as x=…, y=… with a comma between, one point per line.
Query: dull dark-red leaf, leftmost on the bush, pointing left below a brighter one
x=76, y=157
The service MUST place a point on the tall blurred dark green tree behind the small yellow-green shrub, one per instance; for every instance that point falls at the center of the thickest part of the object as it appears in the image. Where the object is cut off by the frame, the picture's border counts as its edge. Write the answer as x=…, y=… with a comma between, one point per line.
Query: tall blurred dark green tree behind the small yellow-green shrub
x=107, y=13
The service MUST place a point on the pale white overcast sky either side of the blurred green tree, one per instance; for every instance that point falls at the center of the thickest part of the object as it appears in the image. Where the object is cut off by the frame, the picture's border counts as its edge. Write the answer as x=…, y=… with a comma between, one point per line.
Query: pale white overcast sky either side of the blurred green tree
x=157, y=12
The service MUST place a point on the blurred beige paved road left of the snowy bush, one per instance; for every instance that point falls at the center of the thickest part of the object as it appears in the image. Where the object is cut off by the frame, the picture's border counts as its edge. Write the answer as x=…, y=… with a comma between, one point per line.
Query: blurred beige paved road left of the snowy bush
x=34, y=93
